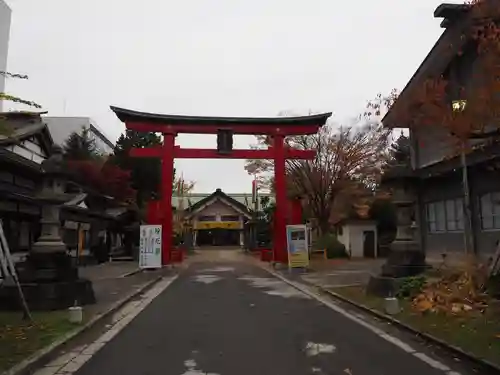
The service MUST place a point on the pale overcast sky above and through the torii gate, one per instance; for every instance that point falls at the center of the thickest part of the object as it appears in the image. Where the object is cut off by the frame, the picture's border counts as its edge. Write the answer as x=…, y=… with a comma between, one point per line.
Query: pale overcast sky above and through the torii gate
x=215, y=57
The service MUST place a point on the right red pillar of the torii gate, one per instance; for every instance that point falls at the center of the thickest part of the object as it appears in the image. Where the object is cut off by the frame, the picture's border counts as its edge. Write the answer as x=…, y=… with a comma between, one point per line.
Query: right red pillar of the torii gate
x=280, y=251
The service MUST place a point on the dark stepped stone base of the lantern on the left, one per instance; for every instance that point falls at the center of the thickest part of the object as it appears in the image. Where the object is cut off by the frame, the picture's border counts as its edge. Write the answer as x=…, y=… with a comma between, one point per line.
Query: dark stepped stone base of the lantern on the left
x=49, y=282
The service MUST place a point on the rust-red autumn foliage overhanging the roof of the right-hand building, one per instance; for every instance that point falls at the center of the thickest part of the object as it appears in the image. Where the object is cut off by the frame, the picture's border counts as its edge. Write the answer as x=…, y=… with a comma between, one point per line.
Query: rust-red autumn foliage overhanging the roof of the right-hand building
x=464, y=98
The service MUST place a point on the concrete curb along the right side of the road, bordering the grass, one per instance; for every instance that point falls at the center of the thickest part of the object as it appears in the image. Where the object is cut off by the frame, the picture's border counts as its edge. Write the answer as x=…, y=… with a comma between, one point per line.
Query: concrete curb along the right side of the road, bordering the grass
x=425, y=336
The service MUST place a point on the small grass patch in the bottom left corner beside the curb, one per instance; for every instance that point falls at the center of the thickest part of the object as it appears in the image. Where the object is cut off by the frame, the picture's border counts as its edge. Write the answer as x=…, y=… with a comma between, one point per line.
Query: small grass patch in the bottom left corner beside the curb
x=19, y=339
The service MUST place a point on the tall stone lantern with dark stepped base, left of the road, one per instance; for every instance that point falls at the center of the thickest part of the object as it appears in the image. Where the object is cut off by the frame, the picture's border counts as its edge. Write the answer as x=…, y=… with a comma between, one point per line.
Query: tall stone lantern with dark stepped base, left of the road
x=49, y=277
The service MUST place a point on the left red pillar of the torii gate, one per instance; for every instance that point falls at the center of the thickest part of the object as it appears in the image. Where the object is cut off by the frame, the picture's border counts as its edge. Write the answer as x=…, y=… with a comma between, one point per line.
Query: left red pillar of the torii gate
x=167, y=175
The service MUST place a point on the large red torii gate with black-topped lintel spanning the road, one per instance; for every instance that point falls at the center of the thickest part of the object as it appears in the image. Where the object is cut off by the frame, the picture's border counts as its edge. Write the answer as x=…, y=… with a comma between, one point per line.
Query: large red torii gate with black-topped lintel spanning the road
x=171, y=125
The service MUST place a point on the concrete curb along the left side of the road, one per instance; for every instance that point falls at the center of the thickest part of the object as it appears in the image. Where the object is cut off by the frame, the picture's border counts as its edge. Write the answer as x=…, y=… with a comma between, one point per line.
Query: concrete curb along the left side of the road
x=35, y=360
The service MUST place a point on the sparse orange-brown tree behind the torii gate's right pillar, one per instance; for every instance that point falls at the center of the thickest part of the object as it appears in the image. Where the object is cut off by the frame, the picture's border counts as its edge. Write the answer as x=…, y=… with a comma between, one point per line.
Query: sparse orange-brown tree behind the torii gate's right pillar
x=348, y=164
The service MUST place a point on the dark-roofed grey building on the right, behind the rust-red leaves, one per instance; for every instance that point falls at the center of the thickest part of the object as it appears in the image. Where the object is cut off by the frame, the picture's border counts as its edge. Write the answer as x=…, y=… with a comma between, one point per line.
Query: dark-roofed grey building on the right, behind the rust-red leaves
x=435, y=162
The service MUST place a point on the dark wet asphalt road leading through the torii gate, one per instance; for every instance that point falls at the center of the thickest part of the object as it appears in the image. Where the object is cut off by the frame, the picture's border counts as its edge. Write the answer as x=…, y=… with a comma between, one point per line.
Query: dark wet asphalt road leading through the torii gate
x=234, y=319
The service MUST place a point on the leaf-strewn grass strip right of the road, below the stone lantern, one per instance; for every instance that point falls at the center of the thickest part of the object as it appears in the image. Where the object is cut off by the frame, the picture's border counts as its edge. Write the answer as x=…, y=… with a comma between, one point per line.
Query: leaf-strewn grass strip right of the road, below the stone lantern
x=477, y=334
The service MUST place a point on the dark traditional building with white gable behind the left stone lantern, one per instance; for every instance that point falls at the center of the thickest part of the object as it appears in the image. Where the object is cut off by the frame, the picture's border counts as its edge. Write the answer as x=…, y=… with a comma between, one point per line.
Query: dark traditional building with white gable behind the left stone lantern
x=85, y=218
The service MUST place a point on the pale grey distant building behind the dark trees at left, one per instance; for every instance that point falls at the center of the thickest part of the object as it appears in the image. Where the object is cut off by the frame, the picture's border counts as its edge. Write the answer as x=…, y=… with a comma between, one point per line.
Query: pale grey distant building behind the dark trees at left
x=62, y=127
